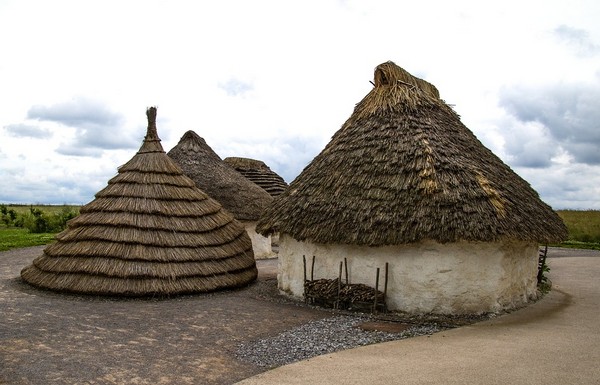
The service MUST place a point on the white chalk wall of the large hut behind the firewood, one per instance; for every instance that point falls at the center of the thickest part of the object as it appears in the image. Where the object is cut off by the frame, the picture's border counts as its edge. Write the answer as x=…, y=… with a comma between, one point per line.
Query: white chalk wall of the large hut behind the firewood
x=456, y=278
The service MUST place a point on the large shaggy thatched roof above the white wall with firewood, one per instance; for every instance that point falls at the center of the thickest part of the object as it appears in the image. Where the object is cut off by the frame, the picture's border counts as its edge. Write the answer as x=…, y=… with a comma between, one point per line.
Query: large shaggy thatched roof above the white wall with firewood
x=403, y=168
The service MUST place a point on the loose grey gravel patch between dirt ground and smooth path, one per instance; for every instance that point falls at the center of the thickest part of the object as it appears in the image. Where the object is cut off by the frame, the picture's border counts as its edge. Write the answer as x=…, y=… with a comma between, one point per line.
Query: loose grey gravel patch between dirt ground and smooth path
x=320, y=337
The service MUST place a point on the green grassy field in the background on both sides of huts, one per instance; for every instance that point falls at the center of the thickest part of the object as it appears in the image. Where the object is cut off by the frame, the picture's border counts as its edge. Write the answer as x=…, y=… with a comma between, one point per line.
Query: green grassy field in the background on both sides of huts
x=583, y=225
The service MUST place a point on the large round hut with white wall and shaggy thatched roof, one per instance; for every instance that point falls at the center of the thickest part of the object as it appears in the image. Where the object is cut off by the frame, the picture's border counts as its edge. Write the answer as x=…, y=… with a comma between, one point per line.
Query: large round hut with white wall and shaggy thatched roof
x=404, y=182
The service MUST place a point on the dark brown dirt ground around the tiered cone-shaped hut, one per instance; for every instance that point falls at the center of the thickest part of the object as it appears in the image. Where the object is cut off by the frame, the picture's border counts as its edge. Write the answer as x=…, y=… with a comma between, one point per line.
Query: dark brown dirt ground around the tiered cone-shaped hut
x=50, y=338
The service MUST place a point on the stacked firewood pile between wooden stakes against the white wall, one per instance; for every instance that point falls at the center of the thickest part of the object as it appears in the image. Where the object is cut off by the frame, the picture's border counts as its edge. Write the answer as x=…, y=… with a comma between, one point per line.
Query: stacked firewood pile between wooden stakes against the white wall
x=339, y=295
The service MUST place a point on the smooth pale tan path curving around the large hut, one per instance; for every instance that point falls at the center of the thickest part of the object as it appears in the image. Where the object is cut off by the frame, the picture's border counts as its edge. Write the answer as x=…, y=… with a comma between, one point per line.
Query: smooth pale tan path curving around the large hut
x=554, y=341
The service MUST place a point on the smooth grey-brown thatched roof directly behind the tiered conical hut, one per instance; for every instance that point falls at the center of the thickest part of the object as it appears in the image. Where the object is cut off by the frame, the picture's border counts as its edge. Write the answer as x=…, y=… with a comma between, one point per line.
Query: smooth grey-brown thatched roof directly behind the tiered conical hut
x=244, y=199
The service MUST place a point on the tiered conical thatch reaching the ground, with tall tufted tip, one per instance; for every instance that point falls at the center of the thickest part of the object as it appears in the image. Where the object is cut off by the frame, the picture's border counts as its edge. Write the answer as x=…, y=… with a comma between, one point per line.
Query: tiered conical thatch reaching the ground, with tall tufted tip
x=151, y=231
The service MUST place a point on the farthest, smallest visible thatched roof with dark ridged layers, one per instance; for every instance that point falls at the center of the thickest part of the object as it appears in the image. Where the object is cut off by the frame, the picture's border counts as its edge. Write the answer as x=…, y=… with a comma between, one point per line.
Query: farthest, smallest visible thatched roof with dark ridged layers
x=258, y=172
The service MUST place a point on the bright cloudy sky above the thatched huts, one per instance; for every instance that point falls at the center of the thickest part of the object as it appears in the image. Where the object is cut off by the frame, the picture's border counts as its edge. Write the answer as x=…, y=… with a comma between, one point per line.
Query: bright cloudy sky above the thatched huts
x=273, y=80
